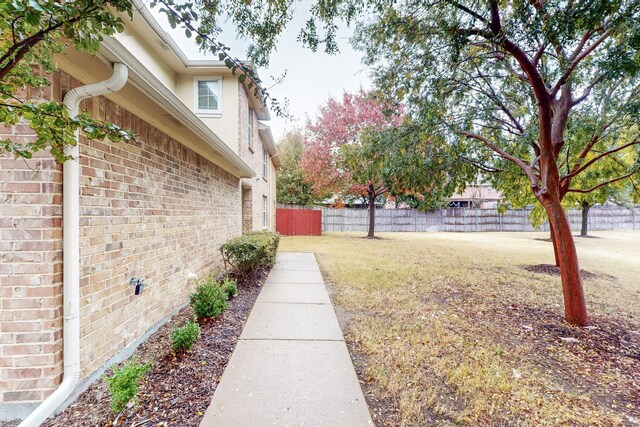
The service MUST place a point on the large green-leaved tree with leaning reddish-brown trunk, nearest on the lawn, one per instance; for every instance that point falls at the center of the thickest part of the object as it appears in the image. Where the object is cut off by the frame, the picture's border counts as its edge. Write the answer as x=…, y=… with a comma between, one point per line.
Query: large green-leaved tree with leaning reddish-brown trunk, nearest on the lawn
x=510, y=82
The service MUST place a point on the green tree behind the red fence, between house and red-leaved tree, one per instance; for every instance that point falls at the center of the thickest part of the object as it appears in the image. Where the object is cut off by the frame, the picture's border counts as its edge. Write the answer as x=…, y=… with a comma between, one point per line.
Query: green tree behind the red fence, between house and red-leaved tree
x=291, y=185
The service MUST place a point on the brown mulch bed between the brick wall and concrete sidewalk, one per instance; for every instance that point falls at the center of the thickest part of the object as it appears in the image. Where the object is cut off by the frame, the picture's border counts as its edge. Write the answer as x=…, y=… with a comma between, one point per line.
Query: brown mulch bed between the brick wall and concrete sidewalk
x=178, y=389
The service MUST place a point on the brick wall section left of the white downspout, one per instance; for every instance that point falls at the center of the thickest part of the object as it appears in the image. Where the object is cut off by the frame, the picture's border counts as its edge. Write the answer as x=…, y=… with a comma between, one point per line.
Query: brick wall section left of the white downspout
x=30, y=275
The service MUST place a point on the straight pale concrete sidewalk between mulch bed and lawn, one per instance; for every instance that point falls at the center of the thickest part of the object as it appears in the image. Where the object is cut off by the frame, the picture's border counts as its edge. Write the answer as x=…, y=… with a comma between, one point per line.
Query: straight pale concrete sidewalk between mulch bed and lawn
x=291, y=366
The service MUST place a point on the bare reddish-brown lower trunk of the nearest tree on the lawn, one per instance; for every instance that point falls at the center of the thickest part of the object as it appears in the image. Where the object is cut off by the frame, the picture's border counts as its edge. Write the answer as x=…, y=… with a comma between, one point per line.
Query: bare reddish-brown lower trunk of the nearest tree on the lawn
x=574, y=304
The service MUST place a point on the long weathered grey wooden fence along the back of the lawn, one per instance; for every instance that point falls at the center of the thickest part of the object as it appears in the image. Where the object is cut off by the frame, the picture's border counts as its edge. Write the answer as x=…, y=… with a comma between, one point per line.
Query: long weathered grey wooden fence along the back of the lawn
x=600, y=218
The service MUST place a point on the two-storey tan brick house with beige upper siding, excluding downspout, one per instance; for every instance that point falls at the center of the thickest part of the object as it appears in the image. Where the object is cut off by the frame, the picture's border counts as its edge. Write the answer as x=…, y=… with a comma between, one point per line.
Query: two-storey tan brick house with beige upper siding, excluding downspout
x=201, y=171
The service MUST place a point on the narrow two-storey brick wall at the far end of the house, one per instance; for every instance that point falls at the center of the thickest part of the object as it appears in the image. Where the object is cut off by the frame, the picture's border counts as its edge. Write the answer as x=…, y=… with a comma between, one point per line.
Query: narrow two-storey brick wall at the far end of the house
x=253, y=157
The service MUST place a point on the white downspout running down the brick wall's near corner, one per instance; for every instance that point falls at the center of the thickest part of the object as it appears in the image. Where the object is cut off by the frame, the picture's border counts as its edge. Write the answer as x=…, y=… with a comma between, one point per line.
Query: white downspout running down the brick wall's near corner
x=71, y=251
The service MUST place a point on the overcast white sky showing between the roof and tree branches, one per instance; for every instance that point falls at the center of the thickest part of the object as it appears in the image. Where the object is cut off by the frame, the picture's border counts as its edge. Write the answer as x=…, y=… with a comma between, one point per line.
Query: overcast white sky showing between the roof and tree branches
x=311, y=77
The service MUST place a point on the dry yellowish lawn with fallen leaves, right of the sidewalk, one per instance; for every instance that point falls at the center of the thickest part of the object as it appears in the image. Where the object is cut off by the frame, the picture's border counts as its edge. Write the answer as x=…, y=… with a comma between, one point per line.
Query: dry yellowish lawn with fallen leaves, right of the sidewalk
x=450, y=329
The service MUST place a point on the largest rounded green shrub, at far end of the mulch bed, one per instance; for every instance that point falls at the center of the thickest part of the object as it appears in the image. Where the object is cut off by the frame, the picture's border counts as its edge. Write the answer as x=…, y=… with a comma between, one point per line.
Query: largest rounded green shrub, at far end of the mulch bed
x=251, y=250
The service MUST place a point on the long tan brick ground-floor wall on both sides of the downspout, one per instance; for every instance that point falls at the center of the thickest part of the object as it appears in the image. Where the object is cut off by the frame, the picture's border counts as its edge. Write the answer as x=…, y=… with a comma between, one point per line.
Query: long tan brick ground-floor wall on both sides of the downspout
x=151, y=209
